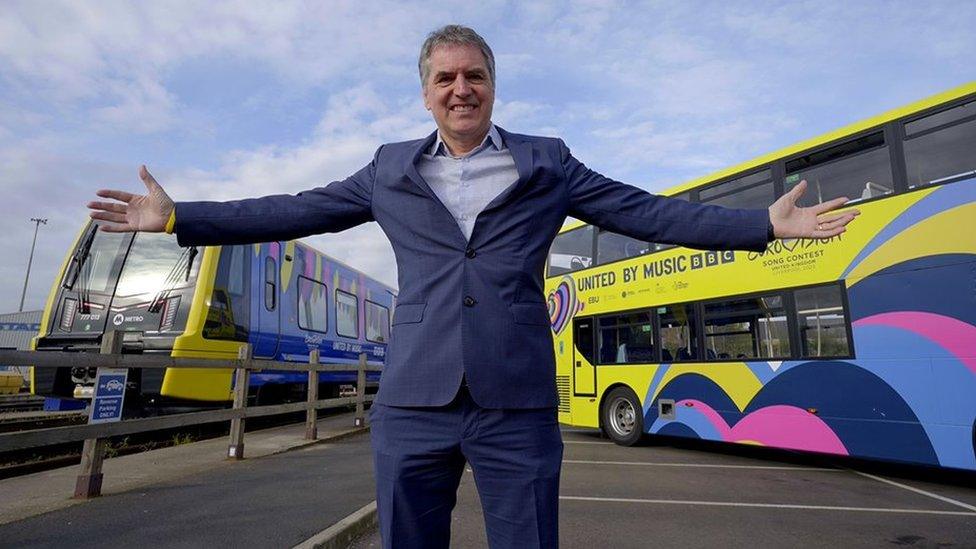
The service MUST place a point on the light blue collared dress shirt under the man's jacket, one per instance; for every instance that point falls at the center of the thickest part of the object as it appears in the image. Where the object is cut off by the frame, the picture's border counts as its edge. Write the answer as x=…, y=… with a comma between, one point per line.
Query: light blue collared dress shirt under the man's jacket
x=466, y=184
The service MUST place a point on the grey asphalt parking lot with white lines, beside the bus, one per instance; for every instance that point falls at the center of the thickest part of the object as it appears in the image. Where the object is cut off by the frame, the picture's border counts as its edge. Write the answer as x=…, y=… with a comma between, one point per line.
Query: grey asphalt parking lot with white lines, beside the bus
x=680, y=495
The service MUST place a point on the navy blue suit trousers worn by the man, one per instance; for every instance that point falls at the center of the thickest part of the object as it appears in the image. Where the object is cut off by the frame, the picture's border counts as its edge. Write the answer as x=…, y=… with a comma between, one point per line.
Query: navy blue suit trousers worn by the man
x=419, y=456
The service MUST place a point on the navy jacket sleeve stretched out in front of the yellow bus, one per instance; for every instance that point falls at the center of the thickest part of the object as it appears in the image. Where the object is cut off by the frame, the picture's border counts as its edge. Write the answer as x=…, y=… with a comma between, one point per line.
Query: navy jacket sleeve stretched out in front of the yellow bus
x=633, y=212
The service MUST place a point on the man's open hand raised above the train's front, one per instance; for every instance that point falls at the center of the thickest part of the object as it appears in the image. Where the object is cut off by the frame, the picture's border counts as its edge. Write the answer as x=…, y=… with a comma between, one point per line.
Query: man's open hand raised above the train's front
x=148, y=212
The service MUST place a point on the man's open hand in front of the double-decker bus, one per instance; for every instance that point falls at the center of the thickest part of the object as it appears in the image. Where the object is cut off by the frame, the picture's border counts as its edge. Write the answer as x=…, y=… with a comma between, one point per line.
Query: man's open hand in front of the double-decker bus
x=792, y=221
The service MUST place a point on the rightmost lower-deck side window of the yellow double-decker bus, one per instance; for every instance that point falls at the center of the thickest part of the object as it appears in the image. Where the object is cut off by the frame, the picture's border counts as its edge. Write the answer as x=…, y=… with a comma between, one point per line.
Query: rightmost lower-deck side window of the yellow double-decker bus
x=823, y=322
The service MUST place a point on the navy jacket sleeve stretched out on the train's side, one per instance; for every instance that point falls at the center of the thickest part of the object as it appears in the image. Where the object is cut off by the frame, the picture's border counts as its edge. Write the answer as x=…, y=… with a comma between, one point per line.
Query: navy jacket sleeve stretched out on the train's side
x=333, y=208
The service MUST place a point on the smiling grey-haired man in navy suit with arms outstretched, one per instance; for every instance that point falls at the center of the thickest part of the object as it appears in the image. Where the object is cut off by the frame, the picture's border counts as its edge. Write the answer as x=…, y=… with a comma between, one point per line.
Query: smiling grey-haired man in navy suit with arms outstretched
x=471, y=211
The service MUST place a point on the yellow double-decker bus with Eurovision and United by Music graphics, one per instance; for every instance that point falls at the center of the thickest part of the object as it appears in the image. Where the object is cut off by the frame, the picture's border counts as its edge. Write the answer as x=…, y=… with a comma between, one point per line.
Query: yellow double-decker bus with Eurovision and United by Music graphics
x=863, y=344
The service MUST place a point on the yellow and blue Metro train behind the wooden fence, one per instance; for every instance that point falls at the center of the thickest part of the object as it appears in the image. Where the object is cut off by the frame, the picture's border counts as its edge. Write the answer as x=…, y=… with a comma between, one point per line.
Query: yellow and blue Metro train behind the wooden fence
x=284, y=299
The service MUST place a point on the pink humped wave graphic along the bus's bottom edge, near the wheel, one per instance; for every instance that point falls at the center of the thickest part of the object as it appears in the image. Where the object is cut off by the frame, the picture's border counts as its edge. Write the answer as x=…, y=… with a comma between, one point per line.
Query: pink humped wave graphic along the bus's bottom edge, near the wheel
x=779, y=425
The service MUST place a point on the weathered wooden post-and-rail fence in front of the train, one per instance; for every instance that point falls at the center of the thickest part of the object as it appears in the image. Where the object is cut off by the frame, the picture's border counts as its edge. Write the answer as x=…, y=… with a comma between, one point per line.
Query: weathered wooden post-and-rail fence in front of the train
x=89, y=480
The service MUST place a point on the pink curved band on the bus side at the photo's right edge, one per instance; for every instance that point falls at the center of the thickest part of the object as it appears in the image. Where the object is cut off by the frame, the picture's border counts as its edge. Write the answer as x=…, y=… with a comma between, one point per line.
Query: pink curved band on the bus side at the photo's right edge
x=955, y=336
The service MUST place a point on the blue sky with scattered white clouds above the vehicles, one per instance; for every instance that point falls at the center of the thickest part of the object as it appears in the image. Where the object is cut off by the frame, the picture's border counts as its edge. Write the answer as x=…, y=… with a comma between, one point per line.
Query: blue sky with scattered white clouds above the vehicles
x=231, y=99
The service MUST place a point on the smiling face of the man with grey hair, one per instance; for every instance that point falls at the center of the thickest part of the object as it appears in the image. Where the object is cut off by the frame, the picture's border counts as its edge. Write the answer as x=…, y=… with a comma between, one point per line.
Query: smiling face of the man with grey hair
x=460, y=94
